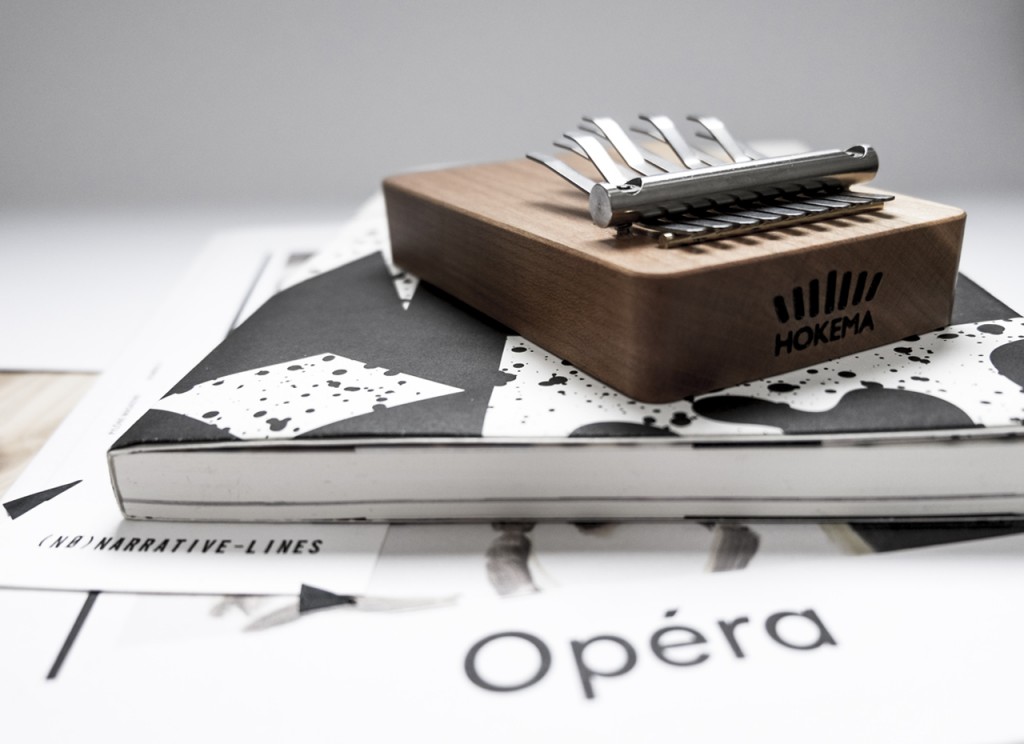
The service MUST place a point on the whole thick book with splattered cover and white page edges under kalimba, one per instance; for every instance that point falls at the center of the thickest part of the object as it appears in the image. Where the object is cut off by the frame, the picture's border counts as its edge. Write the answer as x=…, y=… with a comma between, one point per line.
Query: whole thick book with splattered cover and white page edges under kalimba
x=360, y=393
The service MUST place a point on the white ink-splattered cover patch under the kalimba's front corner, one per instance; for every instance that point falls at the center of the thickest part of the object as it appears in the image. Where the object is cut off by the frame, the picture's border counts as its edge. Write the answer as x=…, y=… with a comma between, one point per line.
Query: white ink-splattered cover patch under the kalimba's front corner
x=948, y=379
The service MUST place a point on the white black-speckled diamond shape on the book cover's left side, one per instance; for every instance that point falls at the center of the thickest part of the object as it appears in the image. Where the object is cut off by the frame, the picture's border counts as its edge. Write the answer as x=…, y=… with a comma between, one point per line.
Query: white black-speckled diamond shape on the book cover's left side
x=294, y=398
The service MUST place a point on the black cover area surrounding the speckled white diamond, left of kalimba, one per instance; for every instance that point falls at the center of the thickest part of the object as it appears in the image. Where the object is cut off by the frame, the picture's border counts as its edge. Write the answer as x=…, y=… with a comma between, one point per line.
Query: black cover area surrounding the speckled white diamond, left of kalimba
x=354, y=312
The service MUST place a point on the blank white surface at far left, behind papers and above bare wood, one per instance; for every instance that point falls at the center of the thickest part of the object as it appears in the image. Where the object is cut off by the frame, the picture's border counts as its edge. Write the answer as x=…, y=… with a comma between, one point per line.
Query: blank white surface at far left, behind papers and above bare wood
x=75, y=287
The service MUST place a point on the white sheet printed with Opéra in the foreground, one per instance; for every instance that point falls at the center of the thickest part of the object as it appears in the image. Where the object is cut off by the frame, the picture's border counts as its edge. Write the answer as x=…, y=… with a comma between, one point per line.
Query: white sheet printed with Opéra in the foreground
x=913, y=647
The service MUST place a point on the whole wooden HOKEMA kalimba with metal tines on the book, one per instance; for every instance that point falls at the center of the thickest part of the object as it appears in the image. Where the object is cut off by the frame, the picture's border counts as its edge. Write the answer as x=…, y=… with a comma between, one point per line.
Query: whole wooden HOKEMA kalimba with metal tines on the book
x=774, y=264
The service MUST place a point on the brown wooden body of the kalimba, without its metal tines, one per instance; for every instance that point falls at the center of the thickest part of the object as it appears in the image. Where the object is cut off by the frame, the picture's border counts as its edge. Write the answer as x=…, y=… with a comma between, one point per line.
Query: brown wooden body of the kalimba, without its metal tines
x=517, y=243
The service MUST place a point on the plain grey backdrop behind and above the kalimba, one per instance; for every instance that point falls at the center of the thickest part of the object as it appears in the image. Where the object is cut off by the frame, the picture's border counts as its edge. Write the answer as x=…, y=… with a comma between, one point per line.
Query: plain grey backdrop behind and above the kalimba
x=311, y=104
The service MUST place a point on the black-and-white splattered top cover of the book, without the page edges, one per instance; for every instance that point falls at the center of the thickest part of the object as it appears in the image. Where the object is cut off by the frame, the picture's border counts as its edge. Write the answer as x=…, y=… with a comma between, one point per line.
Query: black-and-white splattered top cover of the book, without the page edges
x=353, y=351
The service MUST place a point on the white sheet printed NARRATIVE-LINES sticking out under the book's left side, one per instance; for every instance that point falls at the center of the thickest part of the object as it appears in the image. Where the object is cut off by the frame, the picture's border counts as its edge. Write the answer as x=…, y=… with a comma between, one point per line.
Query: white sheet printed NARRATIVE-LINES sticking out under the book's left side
x=62, y=529
